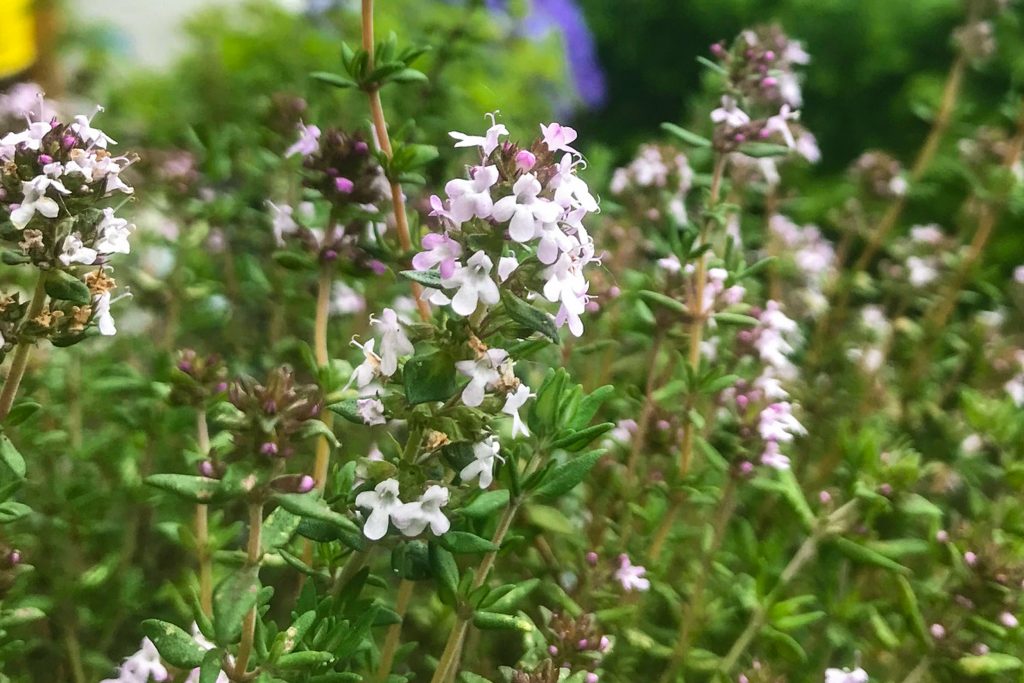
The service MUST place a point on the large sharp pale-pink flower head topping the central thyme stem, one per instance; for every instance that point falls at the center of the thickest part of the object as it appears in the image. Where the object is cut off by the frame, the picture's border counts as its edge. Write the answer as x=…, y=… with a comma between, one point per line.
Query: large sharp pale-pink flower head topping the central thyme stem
x=518, y=222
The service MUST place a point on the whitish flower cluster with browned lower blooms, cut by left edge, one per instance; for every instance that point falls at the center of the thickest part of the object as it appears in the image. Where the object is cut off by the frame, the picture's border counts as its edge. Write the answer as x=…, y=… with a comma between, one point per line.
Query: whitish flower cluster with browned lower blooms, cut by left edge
x=56, y=180
